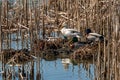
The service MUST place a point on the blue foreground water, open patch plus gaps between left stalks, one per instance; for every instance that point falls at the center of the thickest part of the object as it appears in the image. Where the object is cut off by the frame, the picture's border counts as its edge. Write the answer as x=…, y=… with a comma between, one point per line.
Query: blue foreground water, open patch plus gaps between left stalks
x=55, y=70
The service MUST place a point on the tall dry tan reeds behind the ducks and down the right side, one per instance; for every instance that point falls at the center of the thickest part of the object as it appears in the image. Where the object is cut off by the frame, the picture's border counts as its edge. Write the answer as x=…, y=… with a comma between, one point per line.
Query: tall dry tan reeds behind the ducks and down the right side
x=35, y=17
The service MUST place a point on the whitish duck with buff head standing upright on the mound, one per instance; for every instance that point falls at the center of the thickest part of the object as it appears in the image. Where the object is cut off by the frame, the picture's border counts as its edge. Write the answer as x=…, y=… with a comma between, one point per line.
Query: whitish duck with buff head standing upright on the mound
x=70, y=32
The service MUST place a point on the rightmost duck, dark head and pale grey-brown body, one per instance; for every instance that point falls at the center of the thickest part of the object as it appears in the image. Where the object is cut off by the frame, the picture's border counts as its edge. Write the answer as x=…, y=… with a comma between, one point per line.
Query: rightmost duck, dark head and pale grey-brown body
x=93, y=37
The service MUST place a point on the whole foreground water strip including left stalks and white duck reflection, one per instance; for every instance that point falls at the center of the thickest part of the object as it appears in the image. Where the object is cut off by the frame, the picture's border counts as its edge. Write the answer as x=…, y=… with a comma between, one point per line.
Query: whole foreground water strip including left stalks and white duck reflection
x=60, y=69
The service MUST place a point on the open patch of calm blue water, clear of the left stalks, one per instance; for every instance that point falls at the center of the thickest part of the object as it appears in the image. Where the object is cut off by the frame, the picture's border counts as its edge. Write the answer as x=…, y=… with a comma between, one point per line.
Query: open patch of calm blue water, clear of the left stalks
x=55, y=70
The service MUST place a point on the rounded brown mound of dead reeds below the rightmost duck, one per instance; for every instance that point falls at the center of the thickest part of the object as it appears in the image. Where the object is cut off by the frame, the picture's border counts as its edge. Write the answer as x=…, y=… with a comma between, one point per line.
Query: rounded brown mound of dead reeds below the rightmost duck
x=86, y=52
